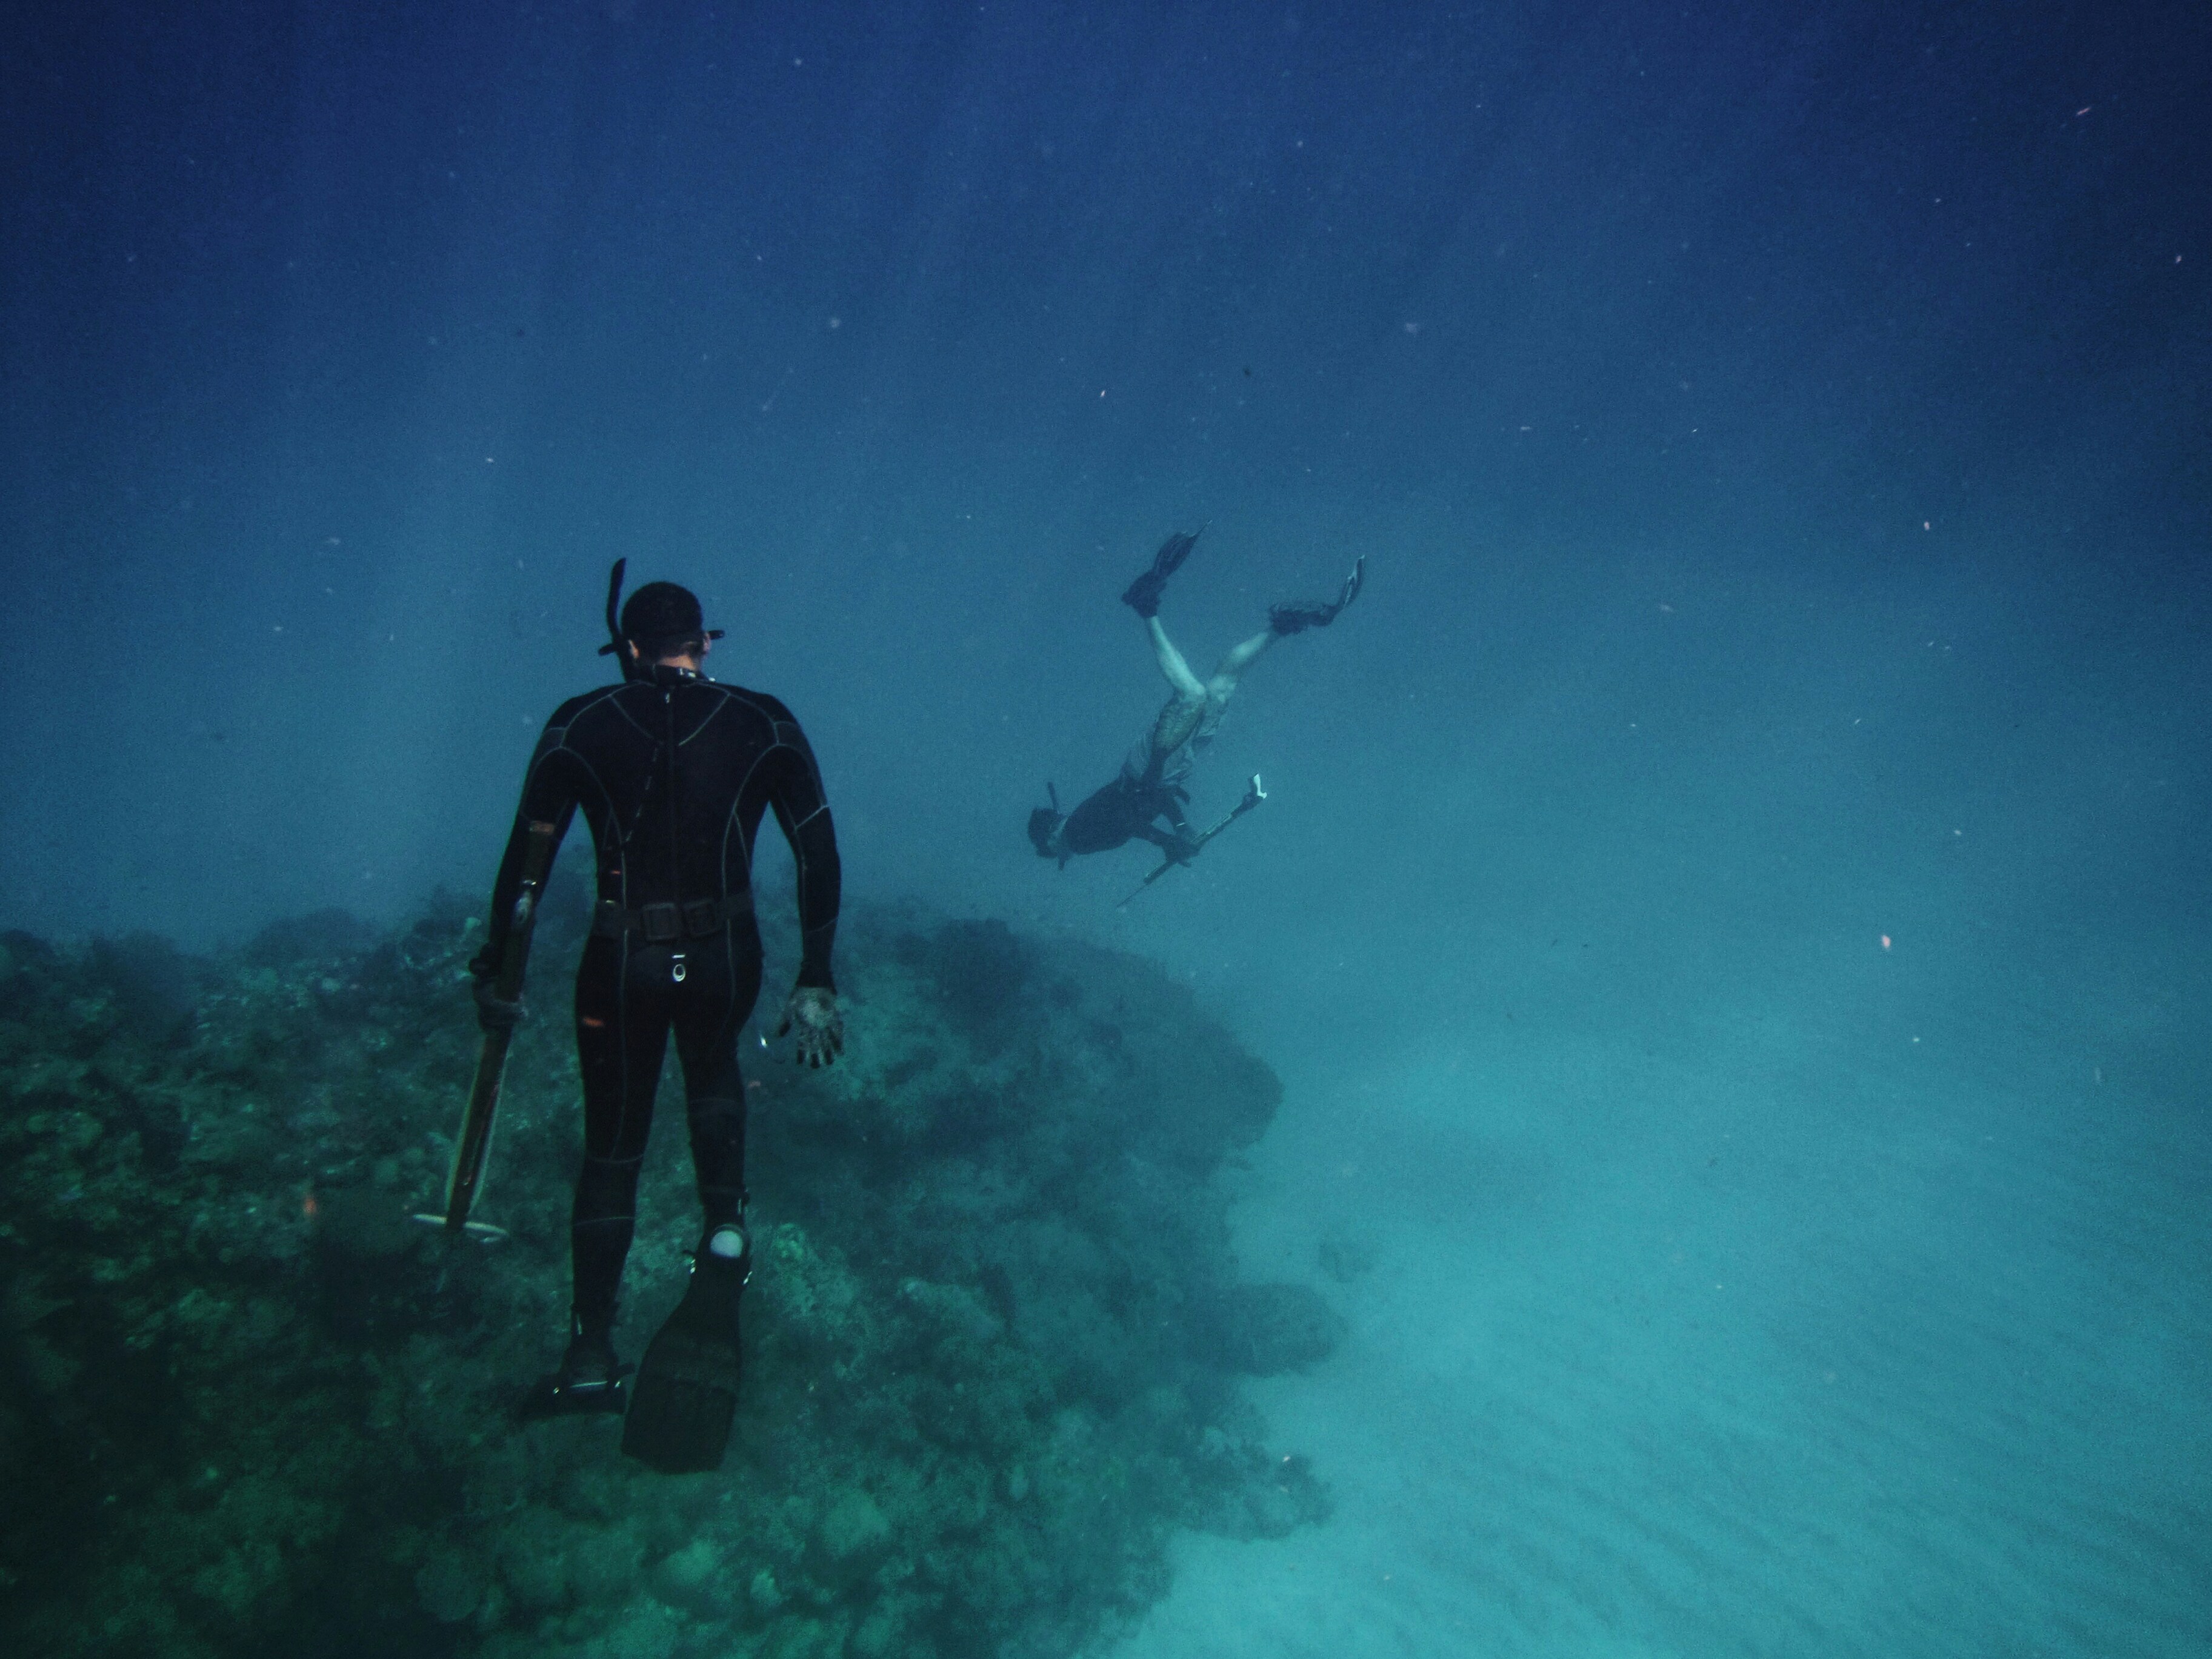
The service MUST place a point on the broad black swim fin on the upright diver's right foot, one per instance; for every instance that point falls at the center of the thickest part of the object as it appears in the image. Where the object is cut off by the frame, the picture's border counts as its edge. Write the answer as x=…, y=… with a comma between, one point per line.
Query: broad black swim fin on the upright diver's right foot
x=685, y=1395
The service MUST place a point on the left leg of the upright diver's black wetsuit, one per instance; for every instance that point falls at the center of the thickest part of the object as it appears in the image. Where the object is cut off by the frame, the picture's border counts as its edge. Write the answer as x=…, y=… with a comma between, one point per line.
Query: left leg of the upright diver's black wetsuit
x=623, y=1008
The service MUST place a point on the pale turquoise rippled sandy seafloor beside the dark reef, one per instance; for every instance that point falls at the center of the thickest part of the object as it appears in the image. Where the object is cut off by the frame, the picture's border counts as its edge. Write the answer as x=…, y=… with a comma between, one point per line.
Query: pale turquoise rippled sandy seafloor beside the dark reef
x=1799, y=1337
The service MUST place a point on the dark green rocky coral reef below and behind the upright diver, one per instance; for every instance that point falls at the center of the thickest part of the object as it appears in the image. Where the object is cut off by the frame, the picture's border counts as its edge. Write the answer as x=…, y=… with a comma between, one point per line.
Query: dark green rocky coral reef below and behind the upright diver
x=994, y=1335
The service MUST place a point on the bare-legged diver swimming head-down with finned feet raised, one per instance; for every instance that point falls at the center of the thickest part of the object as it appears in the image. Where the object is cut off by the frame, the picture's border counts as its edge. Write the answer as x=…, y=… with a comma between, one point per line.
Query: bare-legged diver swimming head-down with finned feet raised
x=1151, y=784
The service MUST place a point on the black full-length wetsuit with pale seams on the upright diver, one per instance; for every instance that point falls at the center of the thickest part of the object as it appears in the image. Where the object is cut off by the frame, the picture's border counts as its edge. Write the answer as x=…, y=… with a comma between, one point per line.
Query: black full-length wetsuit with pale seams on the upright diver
x=674, y=778
